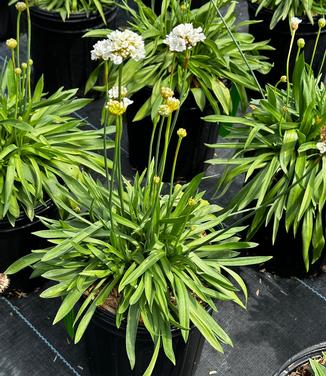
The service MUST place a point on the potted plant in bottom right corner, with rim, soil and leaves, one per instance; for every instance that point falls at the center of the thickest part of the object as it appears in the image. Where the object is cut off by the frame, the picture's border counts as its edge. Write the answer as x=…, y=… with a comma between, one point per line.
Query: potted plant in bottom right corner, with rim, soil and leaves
x=309, y=362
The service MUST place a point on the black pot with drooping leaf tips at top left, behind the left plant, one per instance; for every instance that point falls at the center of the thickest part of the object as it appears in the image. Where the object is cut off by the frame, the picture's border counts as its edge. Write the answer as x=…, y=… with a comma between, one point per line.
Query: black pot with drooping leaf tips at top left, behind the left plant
x=58, y=49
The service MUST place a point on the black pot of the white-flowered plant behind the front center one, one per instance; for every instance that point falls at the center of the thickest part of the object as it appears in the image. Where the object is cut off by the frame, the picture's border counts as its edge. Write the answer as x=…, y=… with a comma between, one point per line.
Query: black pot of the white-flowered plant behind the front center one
x=193, y=152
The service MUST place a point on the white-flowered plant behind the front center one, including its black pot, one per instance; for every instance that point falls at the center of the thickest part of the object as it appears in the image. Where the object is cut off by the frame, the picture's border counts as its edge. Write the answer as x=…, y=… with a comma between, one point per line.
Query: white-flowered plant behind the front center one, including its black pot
x=214, y=64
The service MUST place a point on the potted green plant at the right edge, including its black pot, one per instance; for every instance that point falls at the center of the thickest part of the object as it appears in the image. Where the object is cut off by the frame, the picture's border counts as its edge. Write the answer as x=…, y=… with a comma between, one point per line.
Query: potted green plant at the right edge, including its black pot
x=281, y=152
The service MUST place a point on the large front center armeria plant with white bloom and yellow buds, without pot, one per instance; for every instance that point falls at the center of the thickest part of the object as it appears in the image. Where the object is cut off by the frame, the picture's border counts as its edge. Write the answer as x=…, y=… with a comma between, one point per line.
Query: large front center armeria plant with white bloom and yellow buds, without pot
x=165, y=256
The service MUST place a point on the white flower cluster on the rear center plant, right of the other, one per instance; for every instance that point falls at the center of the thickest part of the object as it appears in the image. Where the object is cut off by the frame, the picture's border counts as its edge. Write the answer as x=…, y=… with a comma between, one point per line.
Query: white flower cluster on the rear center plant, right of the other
x=183, y=37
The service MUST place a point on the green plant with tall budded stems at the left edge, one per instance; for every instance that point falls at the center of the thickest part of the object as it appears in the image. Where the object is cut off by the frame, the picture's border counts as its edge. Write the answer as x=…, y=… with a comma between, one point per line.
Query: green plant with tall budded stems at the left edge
x=41, y=141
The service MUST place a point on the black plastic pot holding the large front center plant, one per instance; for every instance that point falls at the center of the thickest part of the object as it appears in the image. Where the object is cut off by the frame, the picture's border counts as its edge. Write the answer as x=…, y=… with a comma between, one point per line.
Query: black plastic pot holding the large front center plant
x=107, y=354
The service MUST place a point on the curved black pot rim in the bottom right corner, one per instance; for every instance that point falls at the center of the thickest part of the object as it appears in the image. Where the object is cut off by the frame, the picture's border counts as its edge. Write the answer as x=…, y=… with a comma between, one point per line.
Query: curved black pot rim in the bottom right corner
x=300, y=359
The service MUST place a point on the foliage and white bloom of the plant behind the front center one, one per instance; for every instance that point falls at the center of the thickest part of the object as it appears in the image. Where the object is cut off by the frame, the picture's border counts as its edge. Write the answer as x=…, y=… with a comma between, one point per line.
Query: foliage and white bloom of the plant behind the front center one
x=216, y=60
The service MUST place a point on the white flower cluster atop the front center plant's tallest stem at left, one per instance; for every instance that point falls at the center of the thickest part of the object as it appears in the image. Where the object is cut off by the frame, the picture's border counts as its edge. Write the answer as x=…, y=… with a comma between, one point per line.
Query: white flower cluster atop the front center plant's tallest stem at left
x=119, y=45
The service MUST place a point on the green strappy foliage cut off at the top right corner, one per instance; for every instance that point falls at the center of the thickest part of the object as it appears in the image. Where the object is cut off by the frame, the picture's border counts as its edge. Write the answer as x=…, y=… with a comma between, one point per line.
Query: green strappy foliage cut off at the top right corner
x=290, y=8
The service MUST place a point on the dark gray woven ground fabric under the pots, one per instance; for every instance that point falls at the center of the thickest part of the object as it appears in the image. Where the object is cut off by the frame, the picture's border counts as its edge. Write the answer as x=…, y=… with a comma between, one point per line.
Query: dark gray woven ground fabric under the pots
x=283, y=316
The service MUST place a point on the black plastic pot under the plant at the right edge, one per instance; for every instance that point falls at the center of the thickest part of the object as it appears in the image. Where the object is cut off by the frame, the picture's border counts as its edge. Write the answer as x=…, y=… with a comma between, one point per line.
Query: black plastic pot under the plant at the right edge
x=287, y=255
